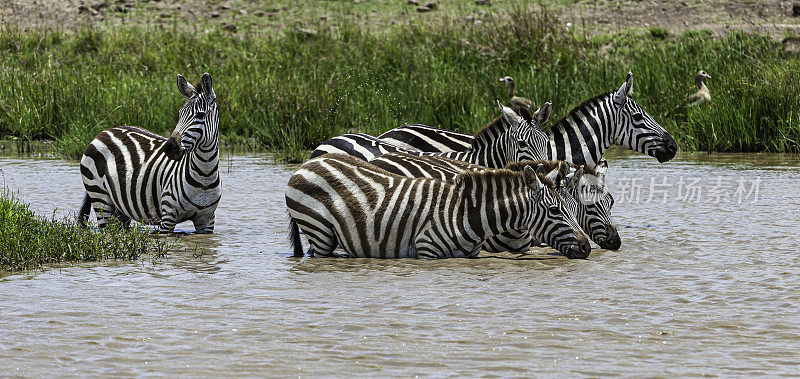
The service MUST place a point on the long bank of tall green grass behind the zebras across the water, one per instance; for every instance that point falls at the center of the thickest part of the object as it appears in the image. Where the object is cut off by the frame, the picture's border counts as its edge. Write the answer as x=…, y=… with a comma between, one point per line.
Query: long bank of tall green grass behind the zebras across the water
x=292, y=90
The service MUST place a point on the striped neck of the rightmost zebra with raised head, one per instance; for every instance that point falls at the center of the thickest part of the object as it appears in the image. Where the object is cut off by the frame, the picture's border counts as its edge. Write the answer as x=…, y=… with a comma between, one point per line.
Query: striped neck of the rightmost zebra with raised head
x=584, y=135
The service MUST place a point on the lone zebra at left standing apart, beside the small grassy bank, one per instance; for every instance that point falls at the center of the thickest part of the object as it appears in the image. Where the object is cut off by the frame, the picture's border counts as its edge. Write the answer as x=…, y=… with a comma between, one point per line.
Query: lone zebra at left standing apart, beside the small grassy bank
x=133, y=174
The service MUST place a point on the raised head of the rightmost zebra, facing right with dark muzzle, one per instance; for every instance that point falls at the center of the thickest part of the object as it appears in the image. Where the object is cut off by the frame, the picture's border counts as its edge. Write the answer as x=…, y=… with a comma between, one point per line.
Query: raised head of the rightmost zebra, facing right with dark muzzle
x=638, y=130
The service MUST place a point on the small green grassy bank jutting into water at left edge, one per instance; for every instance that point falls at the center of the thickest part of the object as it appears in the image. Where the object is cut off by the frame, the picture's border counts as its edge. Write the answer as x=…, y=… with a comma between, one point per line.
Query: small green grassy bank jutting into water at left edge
x=28, y=241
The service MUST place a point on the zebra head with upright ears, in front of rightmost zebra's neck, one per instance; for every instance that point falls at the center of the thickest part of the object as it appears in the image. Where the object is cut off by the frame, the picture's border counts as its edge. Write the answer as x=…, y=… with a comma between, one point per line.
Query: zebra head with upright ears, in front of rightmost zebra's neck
x=525, y=138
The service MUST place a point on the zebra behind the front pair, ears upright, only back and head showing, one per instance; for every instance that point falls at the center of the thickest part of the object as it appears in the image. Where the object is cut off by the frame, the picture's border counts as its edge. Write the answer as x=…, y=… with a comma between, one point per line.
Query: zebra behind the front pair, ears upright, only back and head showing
x=506, y=139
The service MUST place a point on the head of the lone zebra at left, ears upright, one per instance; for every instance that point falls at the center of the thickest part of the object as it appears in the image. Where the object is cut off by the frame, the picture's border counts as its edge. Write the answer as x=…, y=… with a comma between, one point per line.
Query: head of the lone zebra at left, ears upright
x=198, y=120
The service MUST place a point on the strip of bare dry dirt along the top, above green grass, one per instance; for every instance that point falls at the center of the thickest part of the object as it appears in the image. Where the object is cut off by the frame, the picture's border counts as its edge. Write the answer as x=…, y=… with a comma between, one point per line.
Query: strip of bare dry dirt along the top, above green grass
x=772, y=17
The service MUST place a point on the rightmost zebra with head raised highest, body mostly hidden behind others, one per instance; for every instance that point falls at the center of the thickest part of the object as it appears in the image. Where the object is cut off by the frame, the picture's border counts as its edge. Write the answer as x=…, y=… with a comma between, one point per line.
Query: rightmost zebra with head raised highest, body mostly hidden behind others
x=581, y=137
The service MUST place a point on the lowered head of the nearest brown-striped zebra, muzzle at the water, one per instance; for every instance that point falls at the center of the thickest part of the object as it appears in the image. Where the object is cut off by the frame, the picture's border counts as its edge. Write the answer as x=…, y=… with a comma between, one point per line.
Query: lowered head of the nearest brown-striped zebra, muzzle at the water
x=551, y=221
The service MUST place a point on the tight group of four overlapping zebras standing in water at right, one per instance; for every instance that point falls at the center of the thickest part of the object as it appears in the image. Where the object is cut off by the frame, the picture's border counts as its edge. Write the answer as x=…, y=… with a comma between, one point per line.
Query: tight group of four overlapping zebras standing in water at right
x=420, y=191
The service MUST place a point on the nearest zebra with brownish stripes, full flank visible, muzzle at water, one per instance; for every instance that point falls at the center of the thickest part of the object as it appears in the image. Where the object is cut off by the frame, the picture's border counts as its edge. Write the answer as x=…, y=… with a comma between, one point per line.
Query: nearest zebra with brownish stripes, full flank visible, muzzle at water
x=340, y=200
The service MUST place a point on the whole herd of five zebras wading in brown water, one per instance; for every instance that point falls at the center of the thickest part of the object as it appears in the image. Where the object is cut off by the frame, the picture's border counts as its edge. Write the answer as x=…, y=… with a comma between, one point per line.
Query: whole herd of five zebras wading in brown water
x=414, y=191
